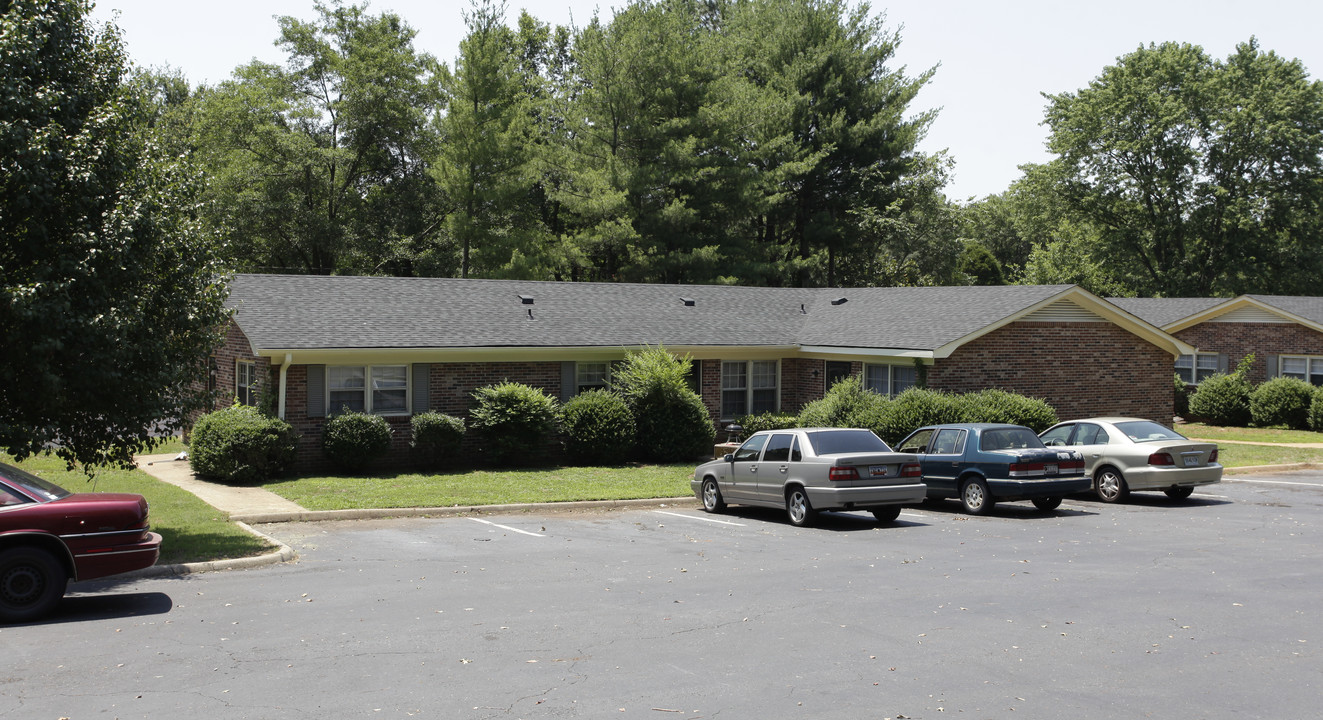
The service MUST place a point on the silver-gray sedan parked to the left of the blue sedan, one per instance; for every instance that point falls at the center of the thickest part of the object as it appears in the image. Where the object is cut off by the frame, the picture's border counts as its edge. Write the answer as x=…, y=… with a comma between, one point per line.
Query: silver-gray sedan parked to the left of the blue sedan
x=806, y=471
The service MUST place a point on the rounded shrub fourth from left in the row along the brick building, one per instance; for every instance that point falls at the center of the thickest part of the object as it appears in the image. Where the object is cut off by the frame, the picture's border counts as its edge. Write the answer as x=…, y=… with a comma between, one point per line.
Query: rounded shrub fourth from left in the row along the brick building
x=514, y=423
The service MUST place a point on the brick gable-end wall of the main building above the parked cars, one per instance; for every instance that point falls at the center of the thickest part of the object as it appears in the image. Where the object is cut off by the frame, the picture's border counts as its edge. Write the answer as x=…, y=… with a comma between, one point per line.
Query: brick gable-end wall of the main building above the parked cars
x=1080, y=369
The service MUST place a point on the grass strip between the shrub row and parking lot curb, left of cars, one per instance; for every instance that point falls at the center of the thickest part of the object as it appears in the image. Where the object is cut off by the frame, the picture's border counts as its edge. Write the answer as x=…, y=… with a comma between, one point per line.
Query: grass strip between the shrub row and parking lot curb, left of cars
x=482, y=488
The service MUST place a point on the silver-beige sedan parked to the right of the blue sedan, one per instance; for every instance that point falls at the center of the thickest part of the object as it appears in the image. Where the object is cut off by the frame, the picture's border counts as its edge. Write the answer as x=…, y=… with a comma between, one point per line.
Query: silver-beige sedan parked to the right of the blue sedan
x=1125, y=455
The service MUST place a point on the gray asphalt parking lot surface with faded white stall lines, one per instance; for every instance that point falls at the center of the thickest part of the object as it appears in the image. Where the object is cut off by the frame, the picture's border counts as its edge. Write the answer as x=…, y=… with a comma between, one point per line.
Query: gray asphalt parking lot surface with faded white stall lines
x=1205, y=608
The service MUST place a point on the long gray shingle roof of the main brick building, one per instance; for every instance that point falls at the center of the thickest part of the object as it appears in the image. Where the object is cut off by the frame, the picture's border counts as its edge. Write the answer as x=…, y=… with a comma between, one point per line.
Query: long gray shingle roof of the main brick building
x=318, y=312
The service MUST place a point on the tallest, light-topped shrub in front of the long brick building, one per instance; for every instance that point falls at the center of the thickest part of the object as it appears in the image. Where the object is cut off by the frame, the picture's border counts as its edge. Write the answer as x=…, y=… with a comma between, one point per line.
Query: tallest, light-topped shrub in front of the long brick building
x=673, y=424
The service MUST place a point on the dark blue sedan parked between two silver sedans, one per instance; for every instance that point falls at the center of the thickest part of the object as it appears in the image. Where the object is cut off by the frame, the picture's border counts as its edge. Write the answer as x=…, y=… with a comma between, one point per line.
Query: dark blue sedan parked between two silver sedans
x=986, y=464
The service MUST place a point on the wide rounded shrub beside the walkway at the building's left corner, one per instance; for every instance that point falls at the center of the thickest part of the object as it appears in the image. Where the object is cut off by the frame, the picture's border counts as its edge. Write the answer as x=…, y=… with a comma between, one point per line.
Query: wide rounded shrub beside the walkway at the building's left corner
x=240, y=445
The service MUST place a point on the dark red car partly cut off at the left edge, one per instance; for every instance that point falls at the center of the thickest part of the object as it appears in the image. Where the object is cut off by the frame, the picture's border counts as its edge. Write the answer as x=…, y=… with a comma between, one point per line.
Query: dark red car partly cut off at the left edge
x=50, y=537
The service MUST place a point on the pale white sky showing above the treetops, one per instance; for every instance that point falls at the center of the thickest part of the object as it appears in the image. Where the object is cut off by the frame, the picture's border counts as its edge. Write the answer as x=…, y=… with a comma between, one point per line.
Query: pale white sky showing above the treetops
x=996, y=58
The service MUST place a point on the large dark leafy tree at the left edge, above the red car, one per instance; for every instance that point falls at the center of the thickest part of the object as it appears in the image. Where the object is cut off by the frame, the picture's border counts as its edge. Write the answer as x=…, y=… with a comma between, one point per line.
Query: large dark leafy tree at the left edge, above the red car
x=112, y=296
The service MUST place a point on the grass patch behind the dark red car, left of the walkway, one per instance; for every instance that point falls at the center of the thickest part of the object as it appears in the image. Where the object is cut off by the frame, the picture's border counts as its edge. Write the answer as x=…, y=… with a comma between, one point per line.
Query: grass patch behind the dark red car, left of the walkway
x=191, y=530
